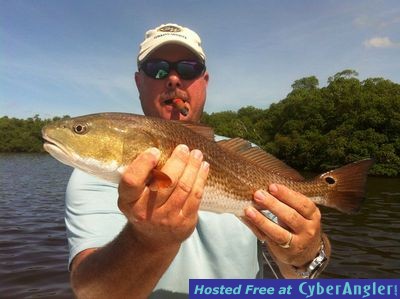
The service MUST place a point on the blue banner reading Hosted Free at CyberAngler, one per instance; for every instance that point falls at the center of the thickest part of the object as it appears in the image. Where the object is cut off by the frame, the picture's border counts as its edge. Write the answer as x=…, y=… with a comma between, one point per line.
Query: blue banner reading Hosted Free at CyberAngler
x=293, y=288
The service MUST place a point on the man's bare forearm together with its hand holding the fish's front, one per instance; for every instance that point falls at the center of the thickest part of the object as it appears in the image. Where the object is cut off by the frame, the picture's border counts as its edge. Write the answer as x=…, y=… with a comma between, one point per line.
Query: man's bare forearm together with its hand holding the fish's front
x=158, y=222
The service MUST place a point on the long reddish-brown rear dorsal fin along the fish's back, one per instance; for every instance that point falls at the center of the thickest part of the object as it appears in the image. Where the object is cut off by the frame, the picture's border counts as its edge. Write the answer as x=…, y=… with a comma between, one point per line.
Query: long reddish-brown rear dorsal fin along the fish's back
x=259, y=157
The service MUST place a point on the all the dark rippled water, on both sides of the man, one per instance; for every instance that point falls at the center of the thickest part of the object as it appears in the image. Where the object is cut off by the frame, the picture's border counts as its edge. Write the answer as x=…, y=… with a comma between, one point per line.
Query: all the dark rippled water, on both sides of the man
x=33, y=247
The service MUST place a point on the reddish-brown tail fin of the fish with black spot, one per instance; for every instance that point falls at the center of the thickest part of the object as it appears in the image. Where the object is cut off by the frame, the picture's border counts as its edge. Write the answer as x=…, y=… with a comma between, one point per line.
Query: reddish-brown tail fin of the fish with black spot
x=347, y=186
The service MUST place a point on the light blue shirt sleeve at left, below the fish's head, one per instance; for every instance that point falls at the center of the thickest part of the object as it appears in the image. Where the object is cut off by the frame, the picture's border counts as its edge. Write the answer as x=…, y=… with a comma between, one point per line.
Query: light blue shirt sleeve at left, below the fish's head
x=92, y=217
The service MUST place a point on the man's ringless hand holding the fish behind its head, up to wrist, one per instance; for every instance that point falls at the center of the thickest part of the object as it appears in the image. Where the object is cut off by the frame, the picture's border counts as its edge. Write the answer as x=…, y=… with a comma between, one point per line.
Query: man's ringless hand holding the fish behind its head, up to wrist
x=168, y=216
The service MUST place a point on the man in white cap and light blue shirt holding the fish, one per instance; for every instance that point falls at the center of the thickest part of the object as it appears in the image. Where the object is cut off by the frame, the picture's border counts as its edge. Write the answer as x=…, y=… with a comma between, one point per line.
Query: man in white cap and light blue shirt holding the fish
x=148, y=244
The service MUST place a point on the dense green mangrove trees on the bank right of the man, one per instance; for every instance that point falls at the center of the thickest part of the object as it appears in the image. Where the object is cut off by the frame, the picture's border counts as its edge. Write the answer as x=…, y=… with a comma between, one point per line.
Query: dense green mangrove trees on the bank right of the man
x=318, y=129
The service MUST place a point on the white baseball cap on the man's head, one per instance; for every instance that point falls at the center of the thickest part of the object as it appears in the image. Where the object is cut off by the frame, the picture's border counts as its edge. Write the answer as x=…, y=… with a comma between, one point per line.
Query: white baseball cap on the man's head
x=170, y=34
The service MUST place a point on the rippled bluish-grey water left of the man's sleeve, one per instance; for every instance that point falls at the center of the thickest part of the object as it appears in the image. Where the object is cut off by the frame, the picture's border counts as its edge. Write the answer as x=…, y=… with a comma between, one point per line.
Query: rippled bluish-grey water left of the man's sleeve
x=33, y=247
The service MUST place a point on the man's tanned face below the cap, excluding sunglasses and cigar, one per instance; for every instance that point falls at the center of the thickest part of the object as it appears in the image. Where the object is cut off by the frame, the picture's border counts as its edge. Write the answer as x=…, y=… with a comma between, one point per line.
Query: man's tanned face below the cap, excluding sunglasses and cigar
x=154, y=93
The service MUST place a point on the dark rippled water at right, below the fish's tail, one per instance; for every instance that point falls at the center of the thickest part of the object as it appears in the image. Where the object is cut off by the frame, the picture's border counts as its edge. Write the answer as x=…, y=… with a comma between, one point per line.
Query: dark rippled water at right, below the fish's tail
x=367, y=245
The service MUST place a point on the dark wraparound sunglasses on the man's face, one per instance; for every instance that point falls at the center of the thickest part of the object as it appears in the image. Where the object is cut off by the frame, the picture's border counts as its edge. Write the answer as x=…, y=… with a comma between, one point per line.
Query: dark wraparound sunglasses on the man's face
x=159, y=69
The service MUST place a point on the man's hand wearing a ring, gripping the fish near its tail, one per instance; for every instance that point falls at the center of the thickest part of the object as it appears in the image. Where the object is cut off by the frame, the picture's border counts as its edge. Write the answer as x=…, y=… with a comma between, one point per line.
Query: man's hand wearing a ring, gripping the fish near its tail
x=297, y=215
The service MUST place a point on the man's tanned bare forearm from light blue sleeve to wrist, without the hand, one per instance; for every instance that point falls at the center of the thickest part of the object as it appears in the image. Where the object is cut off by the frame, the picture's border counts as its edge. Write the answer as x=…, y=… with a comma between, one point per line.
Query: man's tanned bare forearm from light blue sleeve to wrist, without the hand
x=122, y=269
